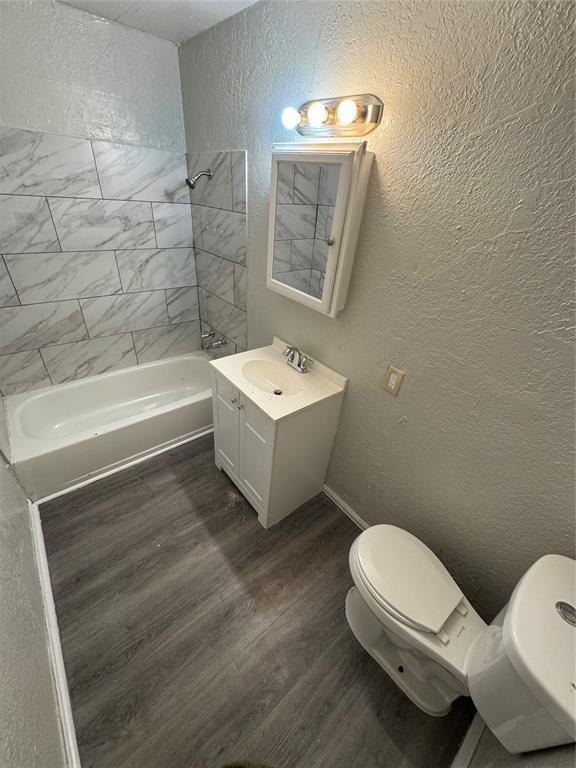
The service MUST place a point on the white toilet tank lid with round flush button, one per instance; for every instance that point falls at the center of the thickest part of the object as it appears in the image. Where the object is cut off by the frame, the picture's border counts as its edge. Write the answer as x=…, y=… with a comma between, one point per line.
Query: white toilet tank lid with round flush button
x=539, y=635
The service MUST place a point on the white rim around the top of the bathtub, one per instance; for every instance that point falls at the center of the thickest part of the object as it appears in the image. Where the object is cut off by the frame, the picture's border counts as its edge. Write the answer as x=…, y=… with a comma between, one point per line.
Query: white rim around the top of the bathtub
x=25, y=447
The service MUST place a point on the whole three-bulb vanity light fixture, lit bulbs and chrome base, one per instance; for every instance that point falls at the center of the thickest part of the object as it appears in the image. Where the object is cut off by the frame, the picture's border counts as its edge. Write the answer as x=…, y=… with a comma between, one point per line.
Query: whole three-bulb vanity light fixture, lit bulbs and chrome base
x=343, y=116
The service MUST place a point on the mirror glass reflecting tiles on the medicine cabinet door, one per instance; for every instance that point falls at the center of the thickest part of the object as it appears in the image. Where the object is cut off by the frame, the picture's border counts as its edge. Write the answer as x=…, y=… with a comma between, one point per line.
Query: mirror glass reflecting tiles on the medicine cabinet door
x=305, y=201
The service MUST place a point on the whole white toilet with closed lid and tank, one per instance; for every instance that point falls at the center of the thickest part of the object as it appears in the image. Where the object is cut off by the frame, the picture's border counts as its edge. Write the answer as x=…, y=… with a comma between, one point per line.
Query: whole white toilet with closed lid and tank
x=410, y=615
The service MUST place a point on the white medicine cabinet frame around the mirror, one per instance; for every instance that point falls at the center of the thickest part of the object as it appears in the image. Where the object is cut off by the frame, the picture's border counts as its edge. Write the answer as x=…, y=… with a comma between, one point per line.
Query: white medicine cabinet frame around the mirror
x=355, y=163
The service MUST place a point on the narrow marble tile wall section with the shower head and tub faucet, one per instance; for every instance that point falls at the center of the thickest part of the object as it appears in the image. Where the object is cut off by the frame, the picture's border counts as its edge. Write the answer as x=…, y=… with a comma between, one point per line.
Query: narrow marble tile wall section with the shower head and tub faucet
x=219, y=222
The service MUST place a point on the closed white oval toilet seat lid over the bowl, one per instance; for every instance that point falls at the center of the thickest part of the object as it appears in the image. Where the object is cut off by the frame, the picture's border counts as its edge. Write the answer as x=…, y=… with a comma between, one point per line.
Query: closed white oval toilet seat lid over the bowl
x=405, y=575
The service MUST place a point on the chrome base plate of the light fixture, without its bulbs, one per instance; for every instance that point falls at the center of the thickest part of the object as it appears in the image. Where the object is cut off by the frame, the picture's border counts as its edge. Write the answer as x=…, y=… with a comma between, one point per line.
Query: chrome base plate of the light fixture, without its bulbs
x=368, y=117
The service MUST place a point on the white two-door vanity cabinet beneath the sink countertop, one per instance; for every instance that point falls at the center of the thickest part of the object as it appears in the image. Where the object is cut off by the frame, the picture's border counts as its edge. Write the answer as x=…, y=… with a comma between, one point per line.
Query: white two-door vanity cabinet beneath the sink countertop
x=277, y=463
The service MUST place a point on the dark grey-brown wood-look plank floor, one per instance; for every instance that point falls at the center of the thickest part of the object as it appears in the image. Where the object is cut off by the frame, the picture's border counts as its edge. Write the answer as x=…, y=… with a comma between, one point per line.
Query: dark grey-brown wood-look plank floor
x=192, y=637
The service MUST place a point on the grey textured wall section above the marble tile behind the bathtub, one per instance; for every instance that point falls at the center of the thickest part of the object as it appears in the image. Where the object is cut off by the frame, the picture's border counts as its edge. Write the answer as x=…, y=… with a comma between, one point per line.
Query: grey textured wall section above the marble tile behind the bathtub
x=66, y=71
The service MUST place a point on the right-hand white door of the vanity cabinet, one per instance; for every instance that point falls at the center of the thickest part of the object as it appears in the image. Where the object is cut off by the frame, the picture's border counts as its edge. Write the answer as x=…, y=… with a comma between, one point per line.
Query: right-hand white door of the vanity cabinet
x=256, y=453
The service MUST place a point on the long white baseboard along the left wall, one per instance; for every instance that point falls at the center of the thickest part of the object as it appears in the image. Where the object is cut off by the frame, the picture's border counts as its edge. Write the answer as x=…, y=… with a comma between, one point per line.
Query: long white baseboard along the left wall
x=54, y=647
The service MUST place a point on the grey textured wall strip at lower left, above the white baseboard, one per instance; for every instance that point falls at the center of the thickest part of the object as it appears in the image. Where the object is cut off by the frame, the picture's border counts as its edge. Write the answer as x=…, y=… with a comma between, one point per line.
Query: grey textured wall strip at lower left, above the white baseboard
x=28, y=717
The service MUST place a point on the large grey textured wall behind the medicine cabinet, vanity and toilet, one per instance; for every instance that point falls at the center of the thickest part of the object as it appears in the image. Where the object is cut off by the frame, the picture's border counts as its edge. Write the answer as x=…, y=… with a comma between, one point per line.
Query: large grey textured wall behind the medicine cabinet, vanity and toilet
x=463, y=275
